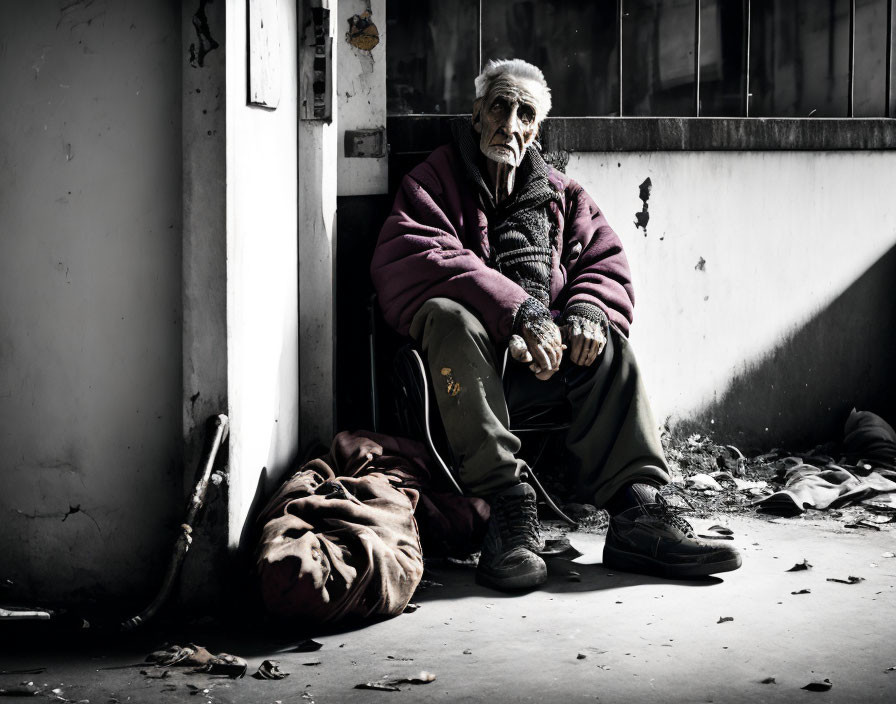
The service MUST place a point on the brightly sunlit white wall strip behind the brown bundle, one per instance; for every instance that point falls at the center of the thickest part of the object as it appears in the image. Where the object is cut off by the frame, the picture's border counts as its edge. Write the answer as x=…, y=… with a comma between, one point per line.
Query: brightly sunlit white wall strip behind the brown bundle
x=262, y=268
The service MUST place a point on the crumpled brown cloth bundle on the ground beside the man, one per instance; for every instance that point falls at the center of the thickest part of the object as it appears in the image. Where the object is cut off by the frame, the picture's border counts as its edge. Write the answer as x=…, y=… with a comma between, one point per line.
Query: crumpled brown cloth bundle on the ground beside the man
x=340, y=538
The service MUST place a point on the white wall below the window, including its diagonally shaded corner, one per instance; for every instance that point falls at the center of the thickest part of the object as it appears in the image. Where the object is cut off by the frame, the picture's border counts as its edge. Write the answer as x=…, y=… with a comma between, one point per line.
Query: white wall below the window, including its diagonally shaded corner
x=764, y=285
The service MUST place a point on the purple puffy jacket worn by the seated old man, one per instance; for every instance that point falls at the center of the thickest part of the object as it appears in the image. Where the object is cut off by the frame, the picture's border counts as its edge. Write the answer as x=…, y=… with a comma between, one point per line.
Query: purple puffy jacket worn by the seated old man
x=435, y=243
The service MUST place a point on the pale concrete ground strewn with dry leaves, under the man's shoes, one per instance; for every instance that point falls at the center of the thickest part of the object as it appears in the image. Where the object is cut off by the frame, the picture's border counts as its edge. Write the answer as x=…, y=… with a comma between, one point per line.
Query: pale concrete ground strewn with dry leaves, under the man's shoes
x=643, y=640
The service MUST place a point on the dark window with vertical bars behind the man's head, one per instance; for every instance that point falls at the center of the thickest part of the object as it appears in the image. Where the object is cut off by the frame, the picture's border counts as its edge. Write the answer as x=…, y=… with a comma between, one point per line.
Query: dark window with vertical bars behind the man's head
x=651, y=58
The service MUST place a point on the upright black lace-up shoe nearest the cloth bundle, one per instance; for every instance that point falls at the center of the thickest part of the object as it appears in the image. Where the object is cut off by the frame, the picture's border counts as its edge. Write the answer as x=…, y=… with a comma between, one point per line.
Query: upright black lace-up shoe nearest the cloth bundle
x=508, y=559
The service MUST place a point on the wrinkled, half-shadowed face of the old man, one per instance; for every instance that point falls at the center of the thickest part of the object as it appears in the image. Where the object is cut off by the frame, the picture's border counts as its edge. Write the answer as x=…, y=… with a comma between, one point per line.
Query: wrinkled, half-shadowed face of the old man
x=507, y=119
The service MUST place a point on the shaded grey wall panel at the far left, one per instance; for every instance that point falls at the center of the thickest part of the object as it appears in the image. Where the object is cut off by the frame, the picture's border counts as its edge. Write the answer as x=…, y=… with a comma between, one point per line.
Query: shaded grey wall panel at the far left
x=90, y=295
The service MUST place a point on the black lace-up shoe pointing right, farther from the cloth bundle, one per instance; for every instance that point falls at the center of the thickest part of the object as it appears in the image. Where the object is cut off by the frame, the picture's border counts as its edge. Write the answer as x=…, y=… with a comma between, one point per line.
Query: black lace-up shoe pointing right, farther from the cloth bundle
x=652, y=539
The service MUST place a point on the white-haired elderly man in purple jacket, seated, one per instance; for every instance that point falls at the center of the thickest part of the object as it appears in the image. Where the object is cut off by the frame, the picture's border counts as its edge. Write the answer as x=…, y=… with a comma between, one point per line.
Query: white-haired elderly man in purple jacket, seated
x=486, y=247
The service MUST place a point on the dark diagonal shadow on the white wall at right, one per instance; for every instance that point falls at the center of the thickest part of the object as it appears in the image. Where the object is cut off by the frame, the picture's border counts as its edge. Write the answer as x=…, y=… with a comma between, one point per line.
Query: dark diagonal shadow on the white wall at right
x=801, y=392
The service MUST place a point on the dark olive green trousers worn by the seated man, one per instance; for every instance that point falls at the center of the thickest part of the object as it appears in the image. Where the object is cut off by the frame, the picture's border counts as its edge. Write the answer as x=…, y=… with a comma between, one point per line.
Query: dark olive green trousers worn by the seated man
x=612, y=438
